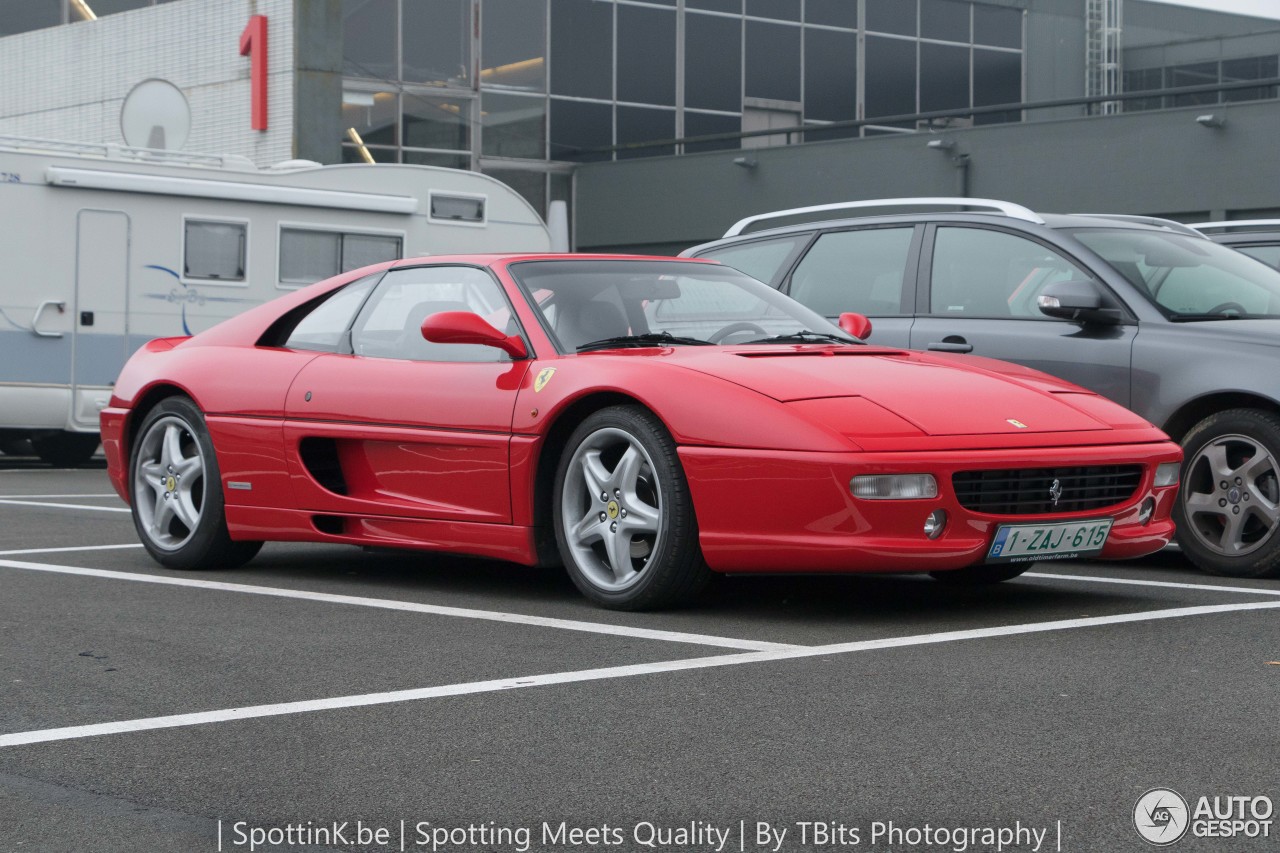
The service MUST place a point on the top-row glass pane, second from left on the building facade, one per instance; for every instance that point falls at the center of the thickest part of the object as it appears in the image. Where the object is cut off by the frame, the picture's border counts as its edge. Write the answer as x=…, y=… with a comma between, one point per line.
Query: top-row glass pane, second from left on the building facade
x=437, y=42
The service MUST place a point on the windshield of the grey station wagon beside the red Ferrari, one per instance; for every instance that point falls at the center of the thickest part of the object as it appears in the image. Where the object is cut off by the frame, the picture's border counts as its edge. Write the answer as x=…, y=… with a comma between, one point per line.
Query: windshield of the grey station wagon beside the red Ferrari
x=1190, y=279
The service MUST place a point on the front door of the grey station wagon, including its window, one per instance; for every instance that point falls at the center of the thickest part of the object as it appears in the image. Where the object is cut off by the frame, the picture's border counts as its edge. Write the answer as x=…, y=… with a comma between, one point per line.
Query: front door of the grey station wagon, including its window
x=980, y=298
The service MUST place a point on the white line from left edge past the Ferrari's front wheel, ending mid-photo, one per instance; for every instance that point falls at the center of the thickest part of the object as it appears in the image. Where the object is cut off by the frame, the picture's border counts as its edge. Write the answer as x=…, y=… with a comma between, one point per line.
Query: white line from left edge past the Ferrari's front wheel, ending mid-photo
x=391, y=604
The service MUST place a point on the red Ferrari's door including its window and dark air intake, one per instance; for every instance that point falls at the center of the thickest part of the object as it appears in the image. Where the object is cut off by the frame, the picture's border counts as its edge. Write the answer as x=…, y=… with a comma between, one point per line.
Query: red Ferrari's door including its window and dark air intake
x=396, y=426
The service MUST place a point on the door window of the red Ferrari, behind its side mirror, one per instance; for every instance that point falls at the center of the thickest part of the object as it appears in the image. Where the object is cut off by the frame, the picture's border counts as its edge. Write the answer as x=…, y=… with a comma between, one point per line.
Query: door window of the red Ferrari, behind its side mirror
x=391, y=323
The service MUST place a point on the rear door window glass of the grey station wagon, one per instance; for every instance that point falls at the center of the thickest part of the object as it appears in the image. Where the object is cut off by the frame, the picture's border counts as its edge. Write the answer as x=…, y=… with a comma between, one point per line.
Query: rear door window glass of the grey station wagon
x=854, y=271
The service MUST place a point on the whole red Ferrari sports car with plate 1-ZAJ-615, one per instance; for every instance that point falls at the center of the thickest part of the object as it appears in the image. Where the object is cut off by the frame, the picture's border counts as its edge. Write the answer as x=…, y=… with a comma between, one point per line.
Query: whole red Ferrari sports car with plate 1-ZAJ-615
x=644, y=422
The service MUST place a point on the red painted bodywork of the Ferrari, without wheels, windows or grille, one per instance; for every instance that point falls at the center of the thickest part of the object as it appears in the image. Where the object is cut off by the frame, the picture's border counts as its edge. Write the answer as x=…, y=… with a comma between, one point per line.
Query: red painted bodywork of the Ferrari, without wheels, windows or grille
x=447, y=457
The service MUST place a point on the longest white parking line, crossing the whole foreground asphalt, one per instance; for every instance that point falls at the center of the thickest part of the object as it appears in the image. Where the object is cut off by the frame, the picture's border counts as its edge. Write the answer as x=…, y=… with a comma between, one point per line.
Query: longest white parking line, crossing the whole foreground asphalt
x=226, y=715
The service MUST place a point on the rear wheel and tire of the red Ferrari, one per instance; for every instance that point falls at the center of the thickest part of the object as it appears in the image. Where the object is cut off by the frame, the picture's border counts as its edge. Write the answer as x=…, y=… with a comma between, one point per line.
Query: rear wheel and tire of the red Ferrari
x=177, y=492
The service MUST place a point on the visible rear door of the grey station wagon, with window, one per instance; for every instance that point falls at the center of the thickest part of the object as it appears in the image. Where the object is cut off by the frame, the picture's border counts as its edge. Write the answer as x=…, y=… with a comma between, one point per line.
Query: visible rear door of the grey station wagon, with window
x=870, y=271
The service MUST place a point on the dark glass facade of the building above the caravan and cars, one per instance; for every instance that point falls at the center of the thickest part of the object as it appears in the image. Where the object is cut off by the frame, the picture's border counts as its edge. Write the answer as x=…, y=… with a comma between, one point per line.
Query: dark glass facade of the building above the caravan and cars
x=522, y=89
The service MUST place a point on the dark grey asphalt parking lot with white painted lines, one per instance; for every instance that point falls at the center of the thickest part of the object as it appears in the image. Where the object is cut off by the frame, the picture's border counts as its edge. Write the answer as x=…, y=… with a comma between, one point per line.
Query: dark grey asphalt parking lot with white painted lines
x=327, y=699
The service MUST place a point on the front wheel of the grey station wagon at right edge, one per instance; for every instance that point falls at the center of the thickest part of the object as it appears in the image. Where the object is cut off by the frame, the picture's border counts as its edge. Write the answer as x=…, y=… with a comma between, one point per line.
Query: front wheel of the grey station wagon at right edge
x=1228, y=510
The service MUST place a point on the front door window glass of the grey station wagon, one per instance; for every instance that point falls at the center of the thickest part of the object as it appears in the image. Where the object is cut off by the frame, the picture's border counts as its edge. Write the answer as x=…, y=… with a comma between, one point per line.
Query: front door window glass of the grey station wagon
x=994, y=275
